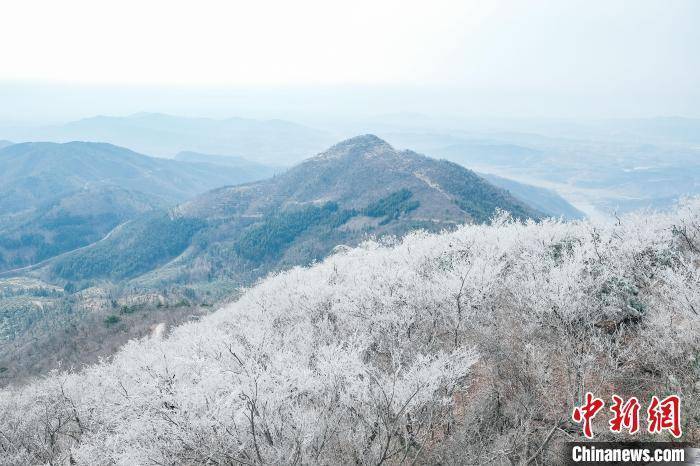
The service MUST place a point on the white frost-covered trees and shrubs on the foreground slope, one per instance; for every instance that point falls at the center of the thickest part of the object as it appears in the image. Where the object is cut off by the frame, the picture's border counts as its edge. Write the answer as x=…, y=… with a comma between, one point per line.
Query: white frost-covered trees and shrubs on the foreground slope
x=466, y=347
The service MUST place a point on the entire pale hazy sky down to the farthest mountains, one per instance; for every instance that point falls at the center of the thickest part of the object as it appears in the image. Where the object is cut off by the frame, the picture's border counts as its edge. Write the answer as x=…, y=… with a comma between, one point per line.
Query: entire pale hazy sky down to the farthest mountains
x=507, y=58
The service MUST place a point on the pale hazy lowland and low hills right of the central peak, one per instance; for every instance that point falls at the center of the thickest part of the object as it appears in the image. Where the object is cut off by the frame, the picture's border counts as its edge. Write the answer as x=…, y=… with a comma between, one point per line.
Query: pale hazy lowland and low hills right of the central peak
x=600, y=174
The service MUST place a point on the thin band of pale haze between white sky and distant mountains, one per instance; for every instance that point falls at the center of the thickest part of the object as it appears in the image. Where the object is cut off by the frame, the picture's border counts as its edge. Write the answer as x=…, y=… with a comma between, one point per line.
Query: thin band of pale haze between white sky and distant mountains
x=51, y=103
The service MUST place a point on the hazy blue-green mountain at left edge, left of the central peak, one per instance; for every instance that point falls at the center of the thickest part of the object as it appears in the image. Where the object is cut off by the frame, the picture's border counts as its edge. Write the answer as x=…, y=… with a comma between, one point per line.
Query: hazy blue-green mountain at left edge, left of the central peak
x=57, y=197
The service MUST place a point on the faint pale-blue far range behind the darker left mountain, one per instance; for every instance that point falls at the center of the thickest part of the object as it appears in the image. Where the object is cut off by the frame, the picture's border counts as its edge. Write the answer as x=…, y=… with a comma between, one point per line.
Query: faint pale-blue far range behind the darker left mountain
x=275, y=142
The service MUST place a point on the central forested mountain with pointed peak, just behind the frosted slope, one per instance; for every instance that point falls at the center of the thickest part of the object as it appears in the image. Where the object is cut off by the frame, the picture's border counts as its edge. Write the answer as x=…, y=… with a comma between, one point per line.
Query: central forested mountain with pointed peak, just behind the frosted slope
x=356, y=188
